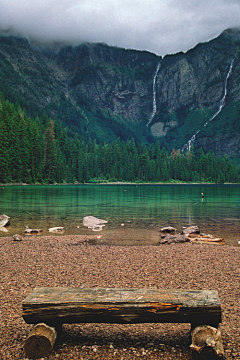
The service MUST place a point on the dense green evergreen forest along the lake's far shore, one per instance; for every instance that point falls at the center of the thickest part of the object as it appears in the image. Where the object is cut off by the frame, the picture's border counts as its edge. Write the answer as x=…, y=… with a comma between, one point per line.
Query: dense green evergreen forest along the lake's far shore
x=39, y=151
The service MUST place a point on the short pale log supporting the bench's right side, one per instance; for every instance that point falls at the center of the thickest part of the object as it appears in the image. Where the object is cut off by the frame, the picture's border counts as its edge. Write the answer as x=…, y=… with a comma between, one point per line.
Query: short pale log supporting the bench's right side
x=207, y=337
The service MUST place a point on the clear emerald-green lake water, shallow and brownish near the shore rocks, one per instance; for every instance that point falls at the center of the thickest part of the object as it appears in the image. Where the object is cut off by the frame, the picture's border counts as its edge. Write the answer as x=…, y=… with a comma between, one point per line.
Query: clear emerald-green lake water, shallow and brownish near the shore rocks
x=143, y=210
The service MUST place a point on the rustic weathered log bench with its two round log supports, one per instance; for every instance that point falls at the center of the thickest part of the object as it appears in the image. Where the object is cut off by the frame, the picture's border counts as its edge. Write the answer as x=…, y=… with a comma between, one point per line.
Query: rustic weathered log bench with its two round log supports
x=49, y=308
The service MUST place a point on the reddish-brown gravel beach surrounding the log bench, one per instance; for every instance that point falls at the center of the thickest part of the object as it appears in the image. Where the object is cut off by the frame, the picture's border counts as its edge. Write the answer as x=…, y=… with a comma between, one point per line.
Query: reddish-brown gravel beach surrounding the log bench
x=71, y=261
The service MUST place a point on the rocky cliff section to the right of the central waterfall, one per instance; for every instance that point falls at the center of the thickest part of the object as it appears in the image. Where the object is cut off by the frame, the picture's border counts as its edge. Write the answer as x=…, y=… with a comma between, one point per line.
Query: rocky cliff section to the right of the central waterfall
x=191, y=89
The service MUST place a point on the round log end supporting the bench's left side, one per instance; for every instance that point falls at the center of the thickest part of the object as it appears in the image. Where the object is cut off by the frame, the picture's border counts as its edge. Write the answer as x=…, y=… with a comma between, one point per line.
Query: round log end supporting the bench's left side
x=40, y=341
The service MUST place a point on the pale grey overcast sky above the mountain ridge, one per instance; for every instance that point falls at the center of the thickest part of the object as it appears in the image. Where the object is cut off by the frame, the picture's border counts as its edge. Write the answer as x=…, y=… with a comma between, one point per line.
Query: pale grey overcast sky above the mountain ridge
x=159, y=26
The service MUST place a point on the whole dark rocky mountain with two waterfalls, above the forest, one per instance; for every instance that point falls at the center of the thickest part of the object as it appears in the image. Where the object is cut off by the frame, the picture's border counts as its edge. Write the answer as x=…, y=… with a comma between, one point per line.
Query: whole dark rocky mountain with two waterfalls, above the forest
x=102, y=92
